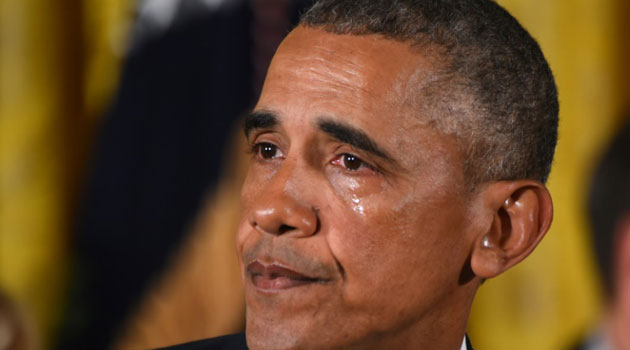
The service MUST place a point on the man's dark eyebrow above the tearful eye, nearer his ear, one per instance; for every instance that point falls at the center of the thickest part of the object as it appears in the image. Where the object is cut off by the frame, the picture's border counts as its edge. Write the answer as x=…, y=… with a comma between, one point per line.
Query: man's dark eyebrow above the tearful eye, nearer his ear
x=354, y=137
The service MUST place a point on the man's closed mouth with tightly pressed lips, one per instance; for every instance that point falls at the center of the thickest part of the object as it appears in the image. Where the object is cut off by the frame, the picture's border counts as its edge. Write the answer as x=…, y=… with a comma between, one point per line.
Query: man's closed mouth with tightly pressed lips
x=275, y=277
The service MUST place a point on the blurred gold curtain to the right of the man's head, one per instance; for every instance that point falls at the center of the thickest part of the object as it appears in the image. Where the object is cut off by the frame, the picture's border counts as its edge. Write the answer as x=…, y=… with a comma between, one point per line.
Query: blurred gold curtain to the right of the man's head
x=550, y=298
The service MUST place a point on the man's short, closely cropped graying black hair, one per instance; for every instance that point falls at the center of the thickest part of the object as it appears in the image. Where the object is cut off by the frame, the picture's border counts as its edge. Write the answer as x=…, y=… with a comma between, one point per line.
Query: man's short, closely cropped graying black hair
x=494, y=90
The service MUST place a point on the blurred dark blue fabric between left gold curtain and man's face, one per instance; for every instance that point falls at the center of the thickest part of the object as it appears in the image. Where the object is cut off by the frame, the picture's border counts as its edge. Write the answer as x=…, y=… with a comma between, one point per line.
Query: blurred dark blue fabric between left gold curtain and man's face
x=158, y=152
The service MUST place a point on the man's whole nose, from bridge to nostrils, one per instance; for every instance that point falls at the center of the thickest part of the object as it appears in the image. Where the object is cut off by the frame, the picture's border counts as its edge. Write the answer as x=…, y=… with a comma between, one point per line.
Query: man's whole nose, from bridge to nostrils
x=286, y=205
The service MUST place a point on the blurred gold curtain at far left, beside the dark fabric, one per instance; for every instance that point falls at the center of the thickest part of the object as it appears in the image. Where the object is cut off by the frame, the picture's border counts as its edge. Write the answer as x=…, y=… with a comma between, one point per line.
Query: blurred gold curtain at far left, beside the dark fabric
x=58, y=65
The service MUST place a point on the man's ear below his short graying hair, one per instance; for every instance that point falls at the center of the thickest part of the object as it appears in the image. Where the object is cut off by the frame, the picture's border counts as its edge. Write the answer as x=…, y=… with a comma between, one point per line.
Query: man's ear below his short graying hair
x=521, y=214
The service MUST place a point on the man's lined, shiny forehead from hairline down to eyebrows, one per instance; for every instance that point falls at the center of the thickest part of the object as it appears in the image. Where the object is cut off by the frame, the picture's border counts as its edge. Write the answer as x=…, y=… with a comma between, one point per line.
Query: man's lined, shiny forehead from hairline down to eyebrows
x=367, y=80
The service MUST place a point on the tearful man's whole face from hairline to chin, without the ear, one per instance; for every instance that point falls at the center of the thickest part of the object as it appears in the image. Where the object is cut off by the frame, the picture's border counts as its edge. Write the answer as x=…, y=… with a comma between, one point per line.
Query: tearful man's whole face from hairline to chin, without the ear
x=356, y=225
